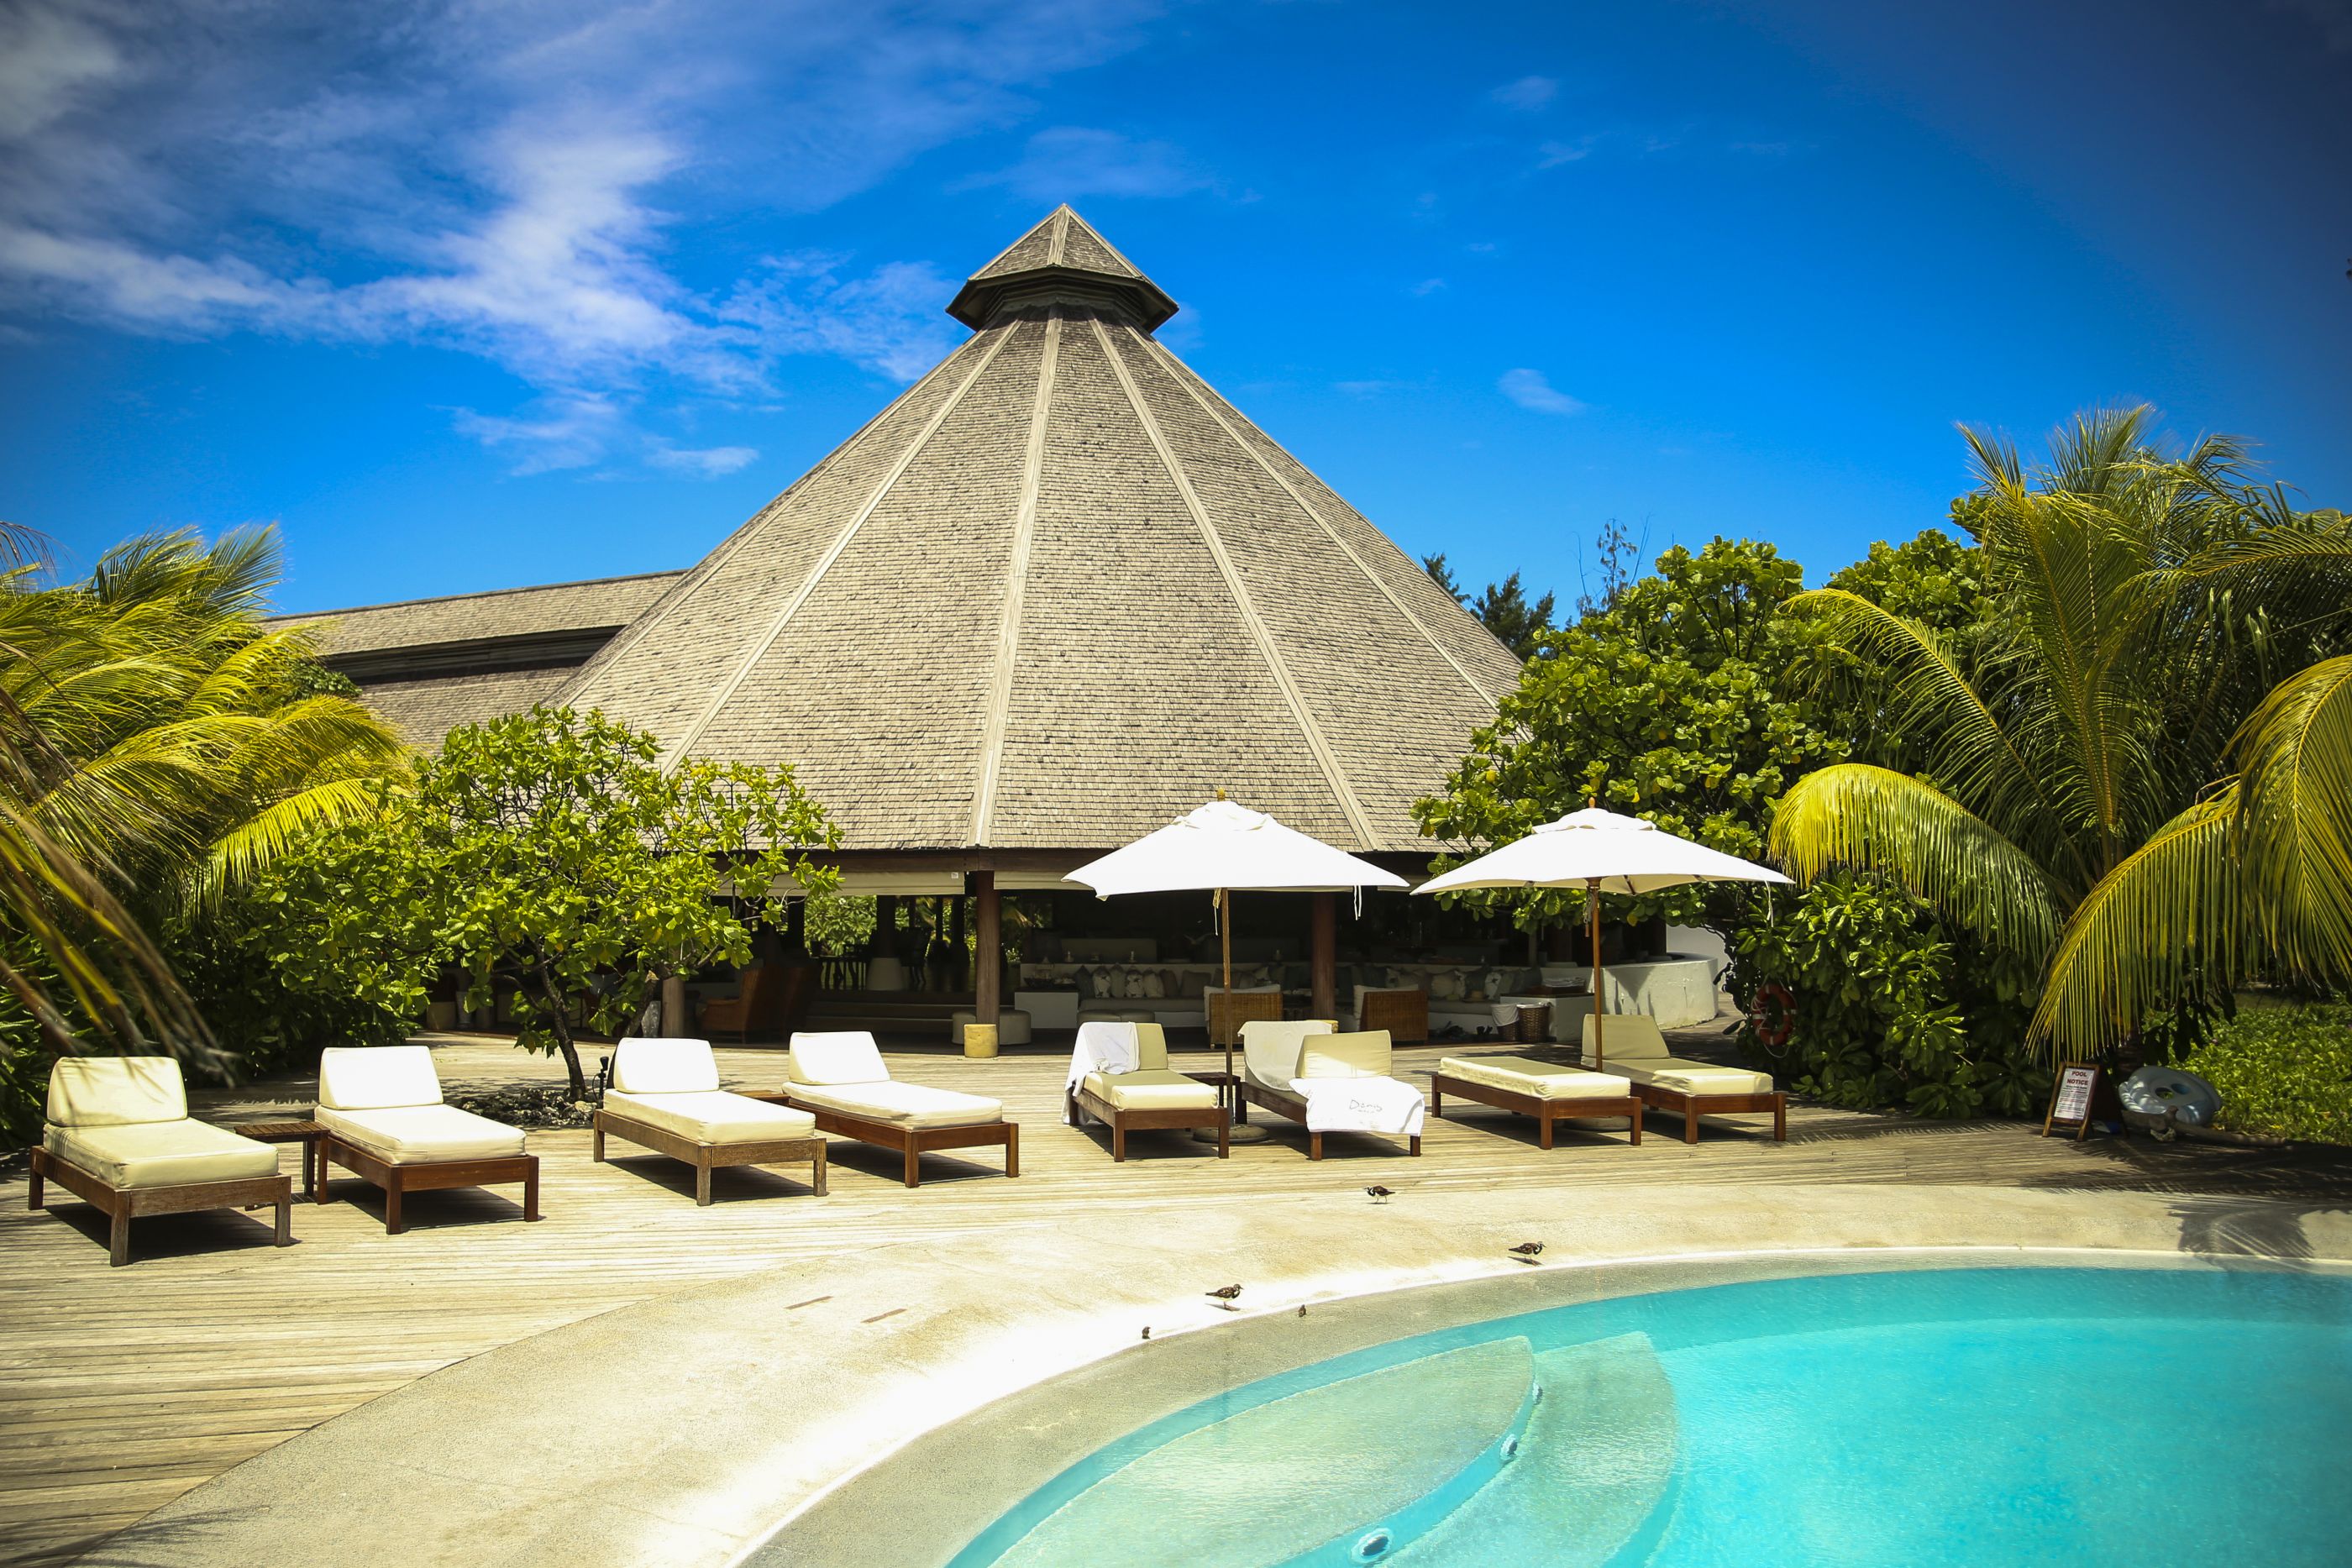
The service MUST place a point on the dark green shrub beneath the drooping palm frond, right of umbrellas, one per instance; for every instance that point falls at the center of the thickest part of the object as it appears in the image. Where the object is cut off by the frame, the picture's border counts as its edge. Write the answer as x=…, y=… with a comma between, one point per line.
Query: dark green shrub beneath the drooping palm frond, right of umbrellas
x=1885, y=1007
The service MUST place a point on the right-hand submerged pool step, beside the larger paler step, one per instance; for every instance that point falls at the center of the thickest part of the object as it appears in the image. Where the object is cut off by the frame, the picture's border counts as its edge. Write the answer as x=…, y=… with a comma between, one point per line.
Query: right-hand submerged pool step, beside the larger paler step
x=1591, y=1477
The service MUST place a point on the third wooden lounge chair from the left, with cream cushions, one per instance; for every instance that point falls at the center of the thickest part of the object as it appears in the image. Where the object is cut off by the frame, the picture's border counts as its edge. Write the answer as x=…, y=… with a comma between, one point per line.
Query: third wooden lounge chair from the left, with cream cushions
x=667, y=1097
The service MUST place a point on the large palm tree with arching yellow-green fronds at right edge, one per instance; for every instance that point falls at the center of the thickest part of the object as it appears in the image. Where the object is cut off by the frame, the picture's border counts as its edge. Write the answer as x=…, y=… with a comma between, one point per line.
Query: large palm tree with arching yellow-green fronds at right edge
x=2139, y=775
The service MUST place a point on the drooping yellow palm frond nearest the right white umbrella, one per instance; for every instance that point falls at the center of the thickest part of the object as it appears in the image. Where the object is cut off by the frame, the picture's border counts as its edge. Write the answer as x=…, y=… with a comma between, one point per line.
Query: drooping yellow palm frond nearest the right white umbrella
x=1956, y=862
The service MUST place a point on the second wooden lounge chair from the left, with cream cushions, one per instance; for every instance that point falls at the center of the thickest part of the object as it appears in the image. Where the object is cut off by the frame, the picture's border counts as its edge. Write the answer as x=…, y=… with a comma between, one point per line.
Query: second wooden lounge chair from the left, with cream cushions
x=389, y=1127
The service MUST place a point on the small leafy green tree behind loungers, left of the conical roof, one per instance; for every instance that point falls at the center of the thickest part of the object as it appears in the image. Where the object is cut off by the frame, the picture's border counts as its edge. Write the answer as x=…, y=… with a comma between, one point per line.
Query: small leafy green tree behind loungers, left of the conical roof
x=575, y=871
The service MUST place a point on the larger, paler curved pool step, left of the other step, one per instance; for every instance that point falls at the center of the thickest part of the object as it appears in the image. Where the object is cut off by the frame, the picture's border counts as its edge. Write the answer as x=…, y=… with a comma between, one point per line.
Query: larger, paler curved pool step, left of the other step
x=1302, y=1480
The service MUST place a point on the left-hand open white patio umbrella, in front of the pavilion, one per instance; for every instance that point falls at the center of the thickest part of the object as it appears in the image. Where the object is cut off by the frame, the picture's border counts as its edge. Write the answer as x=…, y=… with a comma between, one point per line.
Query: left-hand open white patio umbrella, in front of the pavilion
x=1222, y=850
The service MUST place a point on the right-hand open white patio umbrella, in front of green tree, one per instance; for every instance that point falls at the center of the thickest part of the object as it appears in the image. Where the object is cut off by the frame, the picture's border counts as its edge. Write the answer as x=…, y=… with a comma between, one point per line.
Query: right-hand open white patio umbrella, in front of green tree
x=1603, y=855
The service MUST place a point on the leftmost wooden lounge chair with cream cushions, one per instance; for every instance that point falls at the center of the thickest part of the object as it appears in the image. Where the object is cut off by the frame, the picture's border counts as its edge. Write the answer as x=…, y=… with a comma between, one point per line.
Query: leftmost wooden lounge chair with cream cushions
x=119, y=1137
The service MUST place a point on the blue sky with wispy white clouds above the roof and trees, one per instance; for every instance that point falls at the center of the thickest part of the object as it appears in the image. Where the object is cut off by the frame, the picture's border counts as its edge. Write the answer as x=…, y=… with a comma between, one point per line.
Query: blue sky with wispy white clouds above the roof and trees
x=486, y=295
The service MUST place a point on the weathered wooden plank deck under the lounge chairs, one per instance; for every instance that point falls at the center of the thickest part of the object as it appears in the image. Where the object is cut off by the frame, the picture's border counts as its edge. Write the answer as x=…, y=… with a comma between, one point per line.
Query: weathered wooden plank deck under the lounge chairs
x=123, y=1388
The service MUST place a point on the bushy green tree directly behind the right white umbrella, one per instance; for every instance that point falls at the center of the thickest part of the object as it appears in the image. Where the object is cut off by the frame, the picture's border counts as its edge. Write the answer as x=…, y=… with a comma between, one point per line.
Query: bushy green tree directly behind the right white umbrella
x=1664, y=706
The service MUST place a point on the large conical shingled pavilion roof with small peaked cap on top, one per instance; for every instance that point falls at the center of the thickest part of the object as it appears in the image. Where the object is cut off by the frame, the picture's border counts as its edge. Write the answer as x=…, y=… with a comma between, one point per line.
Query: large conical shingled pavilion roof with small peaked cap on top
x=1055, y=596
